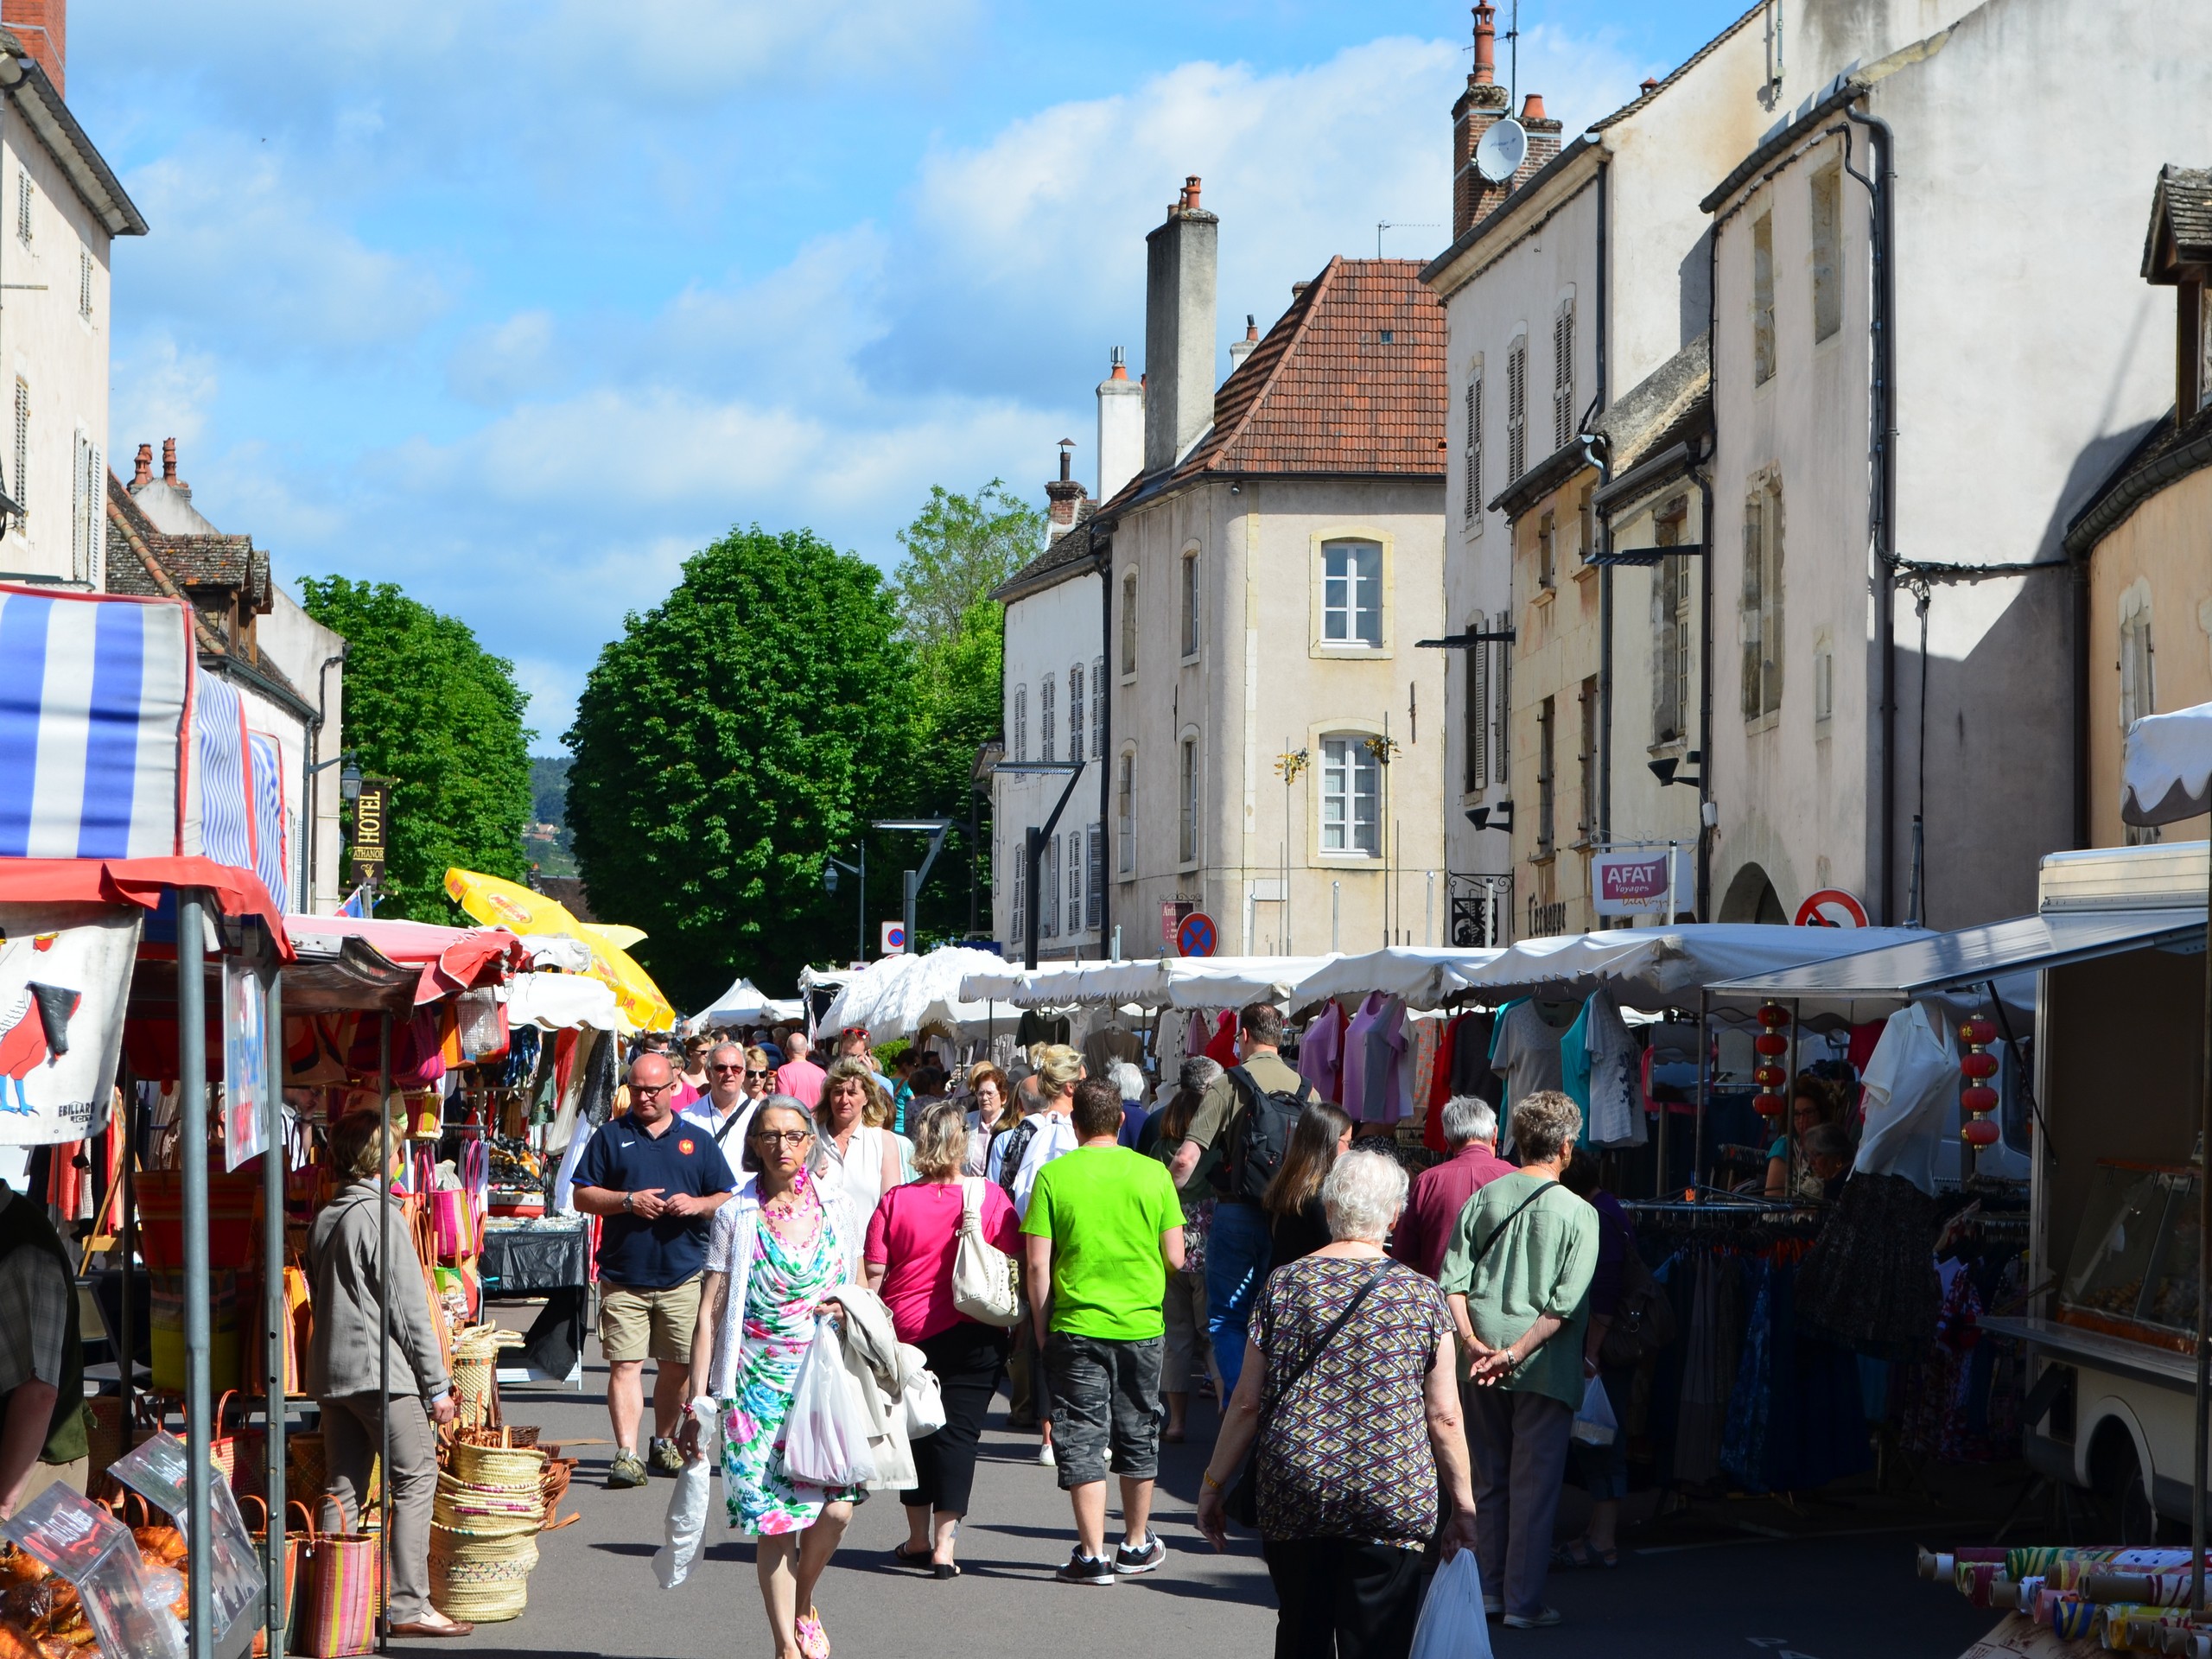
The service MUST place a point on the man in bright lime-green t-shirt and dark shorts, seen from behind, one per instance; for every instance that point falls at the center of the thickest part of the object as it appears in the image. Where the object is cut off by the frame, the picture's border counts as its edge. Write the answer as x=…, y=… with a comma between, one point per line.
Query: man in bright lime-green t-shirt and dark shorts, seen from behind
x=1103, y=1231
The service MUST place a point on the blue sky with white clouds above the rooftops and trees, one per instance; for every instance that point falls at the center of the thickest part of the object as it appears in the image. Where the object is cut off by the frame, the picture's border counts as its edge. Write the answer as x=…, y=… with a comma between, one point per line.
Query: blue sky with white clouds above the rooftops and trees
x=517, y=304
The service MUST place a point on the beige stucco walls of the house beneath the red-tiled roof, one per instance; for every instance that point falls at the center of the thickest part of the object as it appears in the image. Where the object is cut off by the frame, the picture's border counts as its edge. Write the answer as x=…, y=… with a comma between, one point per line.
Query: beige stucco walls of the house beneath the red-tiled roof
x=1264, y=682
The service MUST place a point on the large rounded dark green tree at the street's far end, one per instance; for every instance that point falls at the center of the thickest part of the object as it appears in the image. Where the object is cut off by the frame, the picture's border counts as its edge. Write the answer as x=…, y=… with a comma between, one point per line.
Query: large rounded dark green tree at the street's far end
x=727, y=742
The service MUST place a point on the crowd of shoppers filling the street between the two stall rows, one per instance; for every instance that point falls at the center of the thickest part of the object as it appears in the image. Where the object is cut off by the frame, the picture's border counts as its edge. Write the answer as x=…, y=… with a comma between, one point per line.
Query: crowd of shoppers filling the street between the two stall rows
x=1397, y=1359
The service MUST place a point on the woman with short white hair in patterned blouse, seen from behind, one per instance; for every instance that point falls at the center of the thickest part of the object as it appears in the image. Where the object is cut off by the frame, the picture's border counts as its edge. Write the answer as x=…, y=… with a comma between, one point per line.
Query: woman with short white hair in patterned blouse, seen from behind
x=1350, y=1408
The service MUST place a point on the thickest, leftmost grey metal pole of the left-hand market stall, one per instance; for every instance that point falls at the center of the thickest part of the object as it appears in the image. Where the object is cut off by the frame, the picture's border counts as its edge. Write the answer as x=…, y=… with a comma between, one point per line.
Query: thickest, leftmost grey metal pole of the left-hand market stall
x=194, y=1160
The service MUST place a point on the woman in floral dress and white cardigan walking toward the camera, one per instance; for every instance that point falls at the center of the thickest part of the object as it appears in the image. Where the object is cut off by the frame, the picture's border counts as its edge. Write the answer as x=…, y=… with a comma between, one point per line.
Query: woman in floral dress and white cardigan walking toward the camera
x=775, y=1255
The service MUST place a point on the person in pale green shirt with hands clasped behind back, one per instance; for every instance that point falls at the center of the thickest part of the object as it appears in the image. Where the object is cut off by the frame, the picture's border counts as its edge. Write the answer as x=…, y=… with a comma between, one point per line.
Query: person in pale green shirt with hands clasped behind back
x=1519, y=1282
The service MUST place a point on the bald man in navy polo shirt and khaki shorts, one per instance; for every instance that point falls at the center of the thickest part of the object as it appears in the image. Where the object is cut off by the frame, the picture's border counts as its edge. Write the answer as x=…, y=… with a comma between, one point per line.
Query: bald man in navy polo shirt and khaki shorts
x=658, y=1180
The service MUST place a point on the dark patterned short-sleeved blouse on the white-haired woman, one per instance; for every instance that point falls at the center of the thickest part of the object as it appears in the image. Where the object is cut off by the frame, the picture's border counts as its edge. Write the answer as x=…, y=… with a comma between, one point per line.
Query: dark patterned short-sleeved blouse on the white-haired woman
x=1348, y=1452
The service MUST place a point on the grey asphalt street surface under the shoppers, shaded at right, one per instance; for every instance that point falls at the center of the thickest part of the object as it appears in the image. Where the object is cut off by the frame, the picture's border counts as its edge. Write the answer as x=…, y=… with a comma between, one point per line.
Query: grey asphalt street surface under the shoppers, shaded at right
x=1709, y=1585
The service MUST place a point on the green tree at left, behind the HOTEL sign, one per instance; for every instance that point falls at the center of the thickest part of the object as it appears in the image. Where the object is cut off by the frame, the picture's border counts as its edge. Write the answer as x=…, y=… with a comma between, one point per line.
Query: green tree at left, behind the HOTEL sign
x=439, y=716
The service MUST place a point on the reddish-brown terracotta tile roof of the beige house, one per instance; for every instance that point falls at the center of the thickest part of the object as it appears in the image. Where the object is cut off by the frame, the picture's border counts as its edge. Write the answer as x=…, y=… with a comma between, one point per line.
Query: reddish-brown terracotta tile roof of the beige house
x=1348, y=382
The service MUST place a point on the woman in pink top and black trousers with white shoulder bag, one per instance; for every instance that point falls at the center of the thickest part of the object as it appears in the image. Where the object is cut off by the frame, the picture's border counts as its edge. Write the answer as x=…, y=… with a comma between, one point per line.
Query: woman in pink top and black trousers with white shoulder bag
x=910, y=1264
